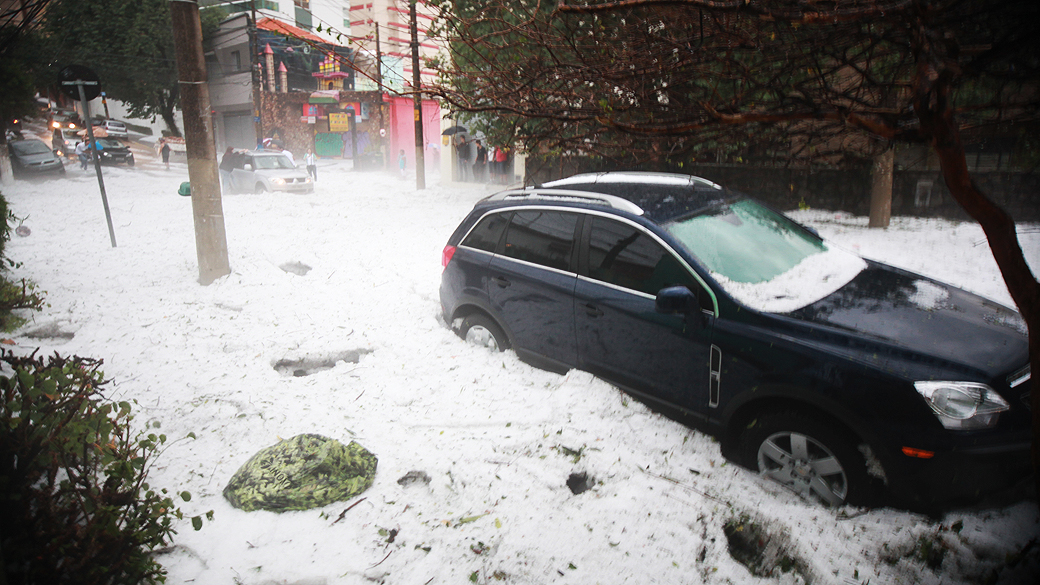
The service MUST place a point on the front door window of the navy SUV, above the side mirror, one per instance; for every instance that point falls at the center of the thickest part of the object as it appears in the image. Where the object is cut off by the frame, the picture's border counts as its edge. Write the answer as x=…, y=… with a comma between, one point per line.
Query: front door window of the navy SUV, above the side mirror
x=622, y=256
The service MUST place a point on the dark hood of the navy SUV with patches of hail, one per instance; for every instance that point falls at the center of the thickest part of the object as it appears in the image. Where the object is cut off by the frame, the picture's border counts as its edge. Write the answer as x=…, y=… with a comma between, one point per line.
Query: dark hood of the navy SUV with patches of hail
x=925, y=317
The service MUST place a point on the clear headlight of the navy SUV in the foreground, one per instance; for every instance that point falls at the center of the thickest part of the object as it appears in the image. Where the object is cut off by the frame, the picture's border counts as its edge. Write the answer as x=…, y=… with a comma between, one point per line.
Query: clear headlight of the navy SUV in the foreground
x=964, y=406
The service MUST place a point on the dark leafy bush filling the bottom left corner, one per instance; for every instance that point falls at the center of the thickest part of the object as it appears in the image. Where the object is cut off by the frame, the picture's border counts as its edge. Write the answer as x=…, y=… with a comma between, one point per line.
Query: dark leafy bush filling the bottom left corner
x=74, y=504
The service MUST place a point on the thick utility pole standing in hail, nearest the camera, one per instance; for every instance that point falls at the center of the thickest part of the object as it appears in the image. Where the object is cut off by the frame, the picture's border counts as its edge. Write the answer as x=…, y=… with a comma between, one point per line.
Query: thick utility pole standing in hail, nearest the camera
x=212, y=242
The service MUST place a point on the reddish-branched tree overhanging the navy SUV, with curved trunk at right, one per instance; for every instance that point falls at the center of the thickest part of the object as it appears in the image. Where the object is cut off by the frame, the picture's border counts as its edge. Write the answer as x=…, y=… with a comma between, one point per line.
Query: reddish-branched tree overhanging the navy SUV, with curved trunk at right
x=803, y=81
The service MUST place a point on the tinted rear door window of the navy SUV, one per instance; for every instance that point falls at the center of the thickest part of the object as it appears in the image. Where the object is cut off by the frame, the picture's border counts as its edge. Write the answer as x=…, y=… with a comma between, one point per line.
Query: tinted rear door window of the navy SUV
x=542, y=237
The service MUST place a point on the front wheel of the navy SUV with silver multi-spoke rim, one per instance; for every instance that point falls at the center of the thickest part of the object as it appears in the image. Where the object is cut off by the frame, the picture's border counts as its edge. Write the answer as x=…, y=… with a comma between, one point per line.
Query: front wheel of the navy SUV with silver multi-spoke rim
x=808, y=456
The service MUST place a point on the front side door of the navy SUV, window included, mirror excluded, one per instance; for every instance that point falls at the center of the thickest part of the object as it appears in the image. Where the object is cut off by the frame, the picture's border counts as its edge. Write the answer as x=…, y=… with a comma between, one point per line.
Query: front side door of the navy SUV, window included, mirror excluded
x=620, y=337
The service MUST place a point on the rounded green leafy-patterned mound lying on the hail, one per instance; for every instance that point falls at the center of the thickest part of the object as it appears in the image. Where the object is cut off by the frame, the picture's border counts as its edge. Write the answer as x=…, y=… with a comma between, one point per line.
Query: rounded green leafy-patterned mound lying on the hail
x=302, y=473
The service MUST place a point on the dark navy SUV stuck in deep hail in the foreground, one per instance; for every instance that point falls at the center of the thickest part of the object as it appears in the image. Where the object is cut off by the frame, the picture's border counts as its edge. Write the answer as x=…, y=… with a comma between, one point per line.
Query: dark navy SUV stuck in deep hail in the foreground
x=845, y=379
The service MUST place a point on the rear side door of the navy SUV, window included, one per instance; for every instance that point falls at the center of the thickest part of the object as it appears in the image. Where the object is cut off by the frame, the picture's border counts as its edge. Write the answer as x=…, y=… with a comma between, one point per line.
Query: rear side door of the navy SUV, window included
x=531, y=284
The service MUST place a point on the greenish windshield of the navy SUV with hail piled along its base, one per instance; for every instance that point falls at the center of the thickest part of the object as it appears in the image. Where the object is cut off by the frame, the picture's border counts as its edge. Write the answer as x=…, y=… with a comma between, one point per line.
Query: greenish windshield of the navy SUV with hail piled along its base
x=763, y=259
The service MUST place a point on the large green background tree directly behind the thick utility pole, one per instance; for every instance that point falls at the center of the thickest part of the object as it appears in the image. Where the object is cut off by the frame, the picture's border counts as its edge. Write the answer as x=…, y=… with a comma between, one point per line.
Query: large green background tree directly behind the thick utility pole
x=131, y=45
